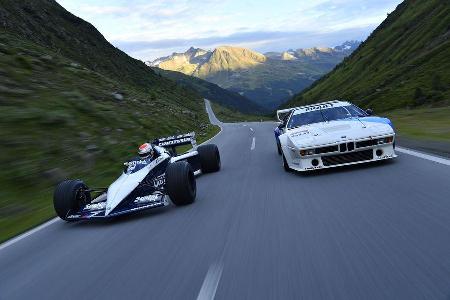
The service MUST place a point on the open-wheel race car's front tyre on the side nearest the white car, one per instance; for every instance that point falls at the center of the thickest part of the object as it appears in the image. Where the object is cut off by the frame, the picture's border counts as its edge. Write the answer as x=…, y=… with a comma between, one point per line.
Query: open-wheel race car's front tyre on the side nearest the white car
x=180, y=183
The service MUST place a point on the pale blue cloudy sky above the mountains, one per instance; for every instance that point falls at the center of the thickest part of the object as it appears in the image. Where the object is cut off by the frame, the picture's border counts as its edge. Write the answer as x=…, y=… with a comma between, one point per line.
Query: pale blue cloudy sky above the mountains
x=147, y=30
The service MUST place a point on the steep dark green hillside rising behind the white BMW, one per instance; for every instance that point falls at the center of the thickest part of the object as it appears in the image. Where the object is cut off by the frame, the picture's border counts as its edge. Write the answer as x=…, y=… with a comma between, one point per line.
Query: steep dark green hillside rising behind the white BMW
x=404, y=63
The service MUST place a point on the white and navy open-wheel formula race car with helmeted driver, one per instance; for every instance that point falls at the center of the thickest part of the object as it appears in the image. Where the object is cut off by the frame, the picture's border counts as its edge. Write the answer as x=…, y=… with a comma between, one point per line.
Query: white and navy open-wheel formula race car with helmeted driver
x=147, y=181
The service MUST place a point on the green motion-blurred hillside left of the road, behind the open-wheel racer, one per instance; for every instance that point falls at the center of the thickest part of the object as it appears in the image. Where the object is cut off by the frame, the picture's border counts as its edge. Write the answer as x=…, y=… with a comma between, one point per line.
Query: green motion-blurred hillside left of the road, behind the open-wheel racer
x=73, y=106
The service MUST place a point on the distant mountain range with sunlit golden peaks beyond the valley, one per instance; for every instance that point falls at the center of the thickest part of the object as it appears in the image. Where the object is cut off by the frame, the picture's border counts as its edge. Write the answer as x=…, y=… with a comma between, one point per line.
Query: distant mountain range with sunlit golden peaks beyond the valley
x=268, y=79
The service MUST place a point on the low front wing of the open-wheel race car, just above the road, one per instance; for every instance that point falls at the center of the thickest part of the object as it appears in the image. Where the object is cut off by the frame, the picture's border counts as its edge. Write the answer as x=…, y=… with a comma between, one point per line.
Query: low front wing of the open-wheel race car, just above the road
x=85, y=214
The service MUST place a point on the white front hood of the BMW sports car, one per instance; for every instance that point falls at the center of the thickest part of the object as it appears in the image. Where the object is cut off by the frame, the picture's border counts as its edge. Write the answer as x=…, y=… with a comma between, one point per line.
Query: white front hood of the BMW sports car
x=339, y=131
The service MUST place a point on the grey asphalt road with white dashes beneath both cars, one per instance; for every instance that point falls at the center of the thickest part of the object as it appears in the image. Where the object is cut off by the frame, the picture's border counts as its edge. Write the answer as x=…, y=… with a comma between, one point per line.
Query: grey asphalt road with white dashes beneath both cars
x=374, y=231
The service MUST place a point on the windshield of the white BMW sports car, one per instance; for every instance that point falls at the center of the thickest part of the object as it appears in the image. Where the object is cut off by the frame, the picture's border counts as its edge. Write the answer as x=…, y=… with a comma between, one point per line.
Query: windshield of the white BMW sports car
x=323, y=115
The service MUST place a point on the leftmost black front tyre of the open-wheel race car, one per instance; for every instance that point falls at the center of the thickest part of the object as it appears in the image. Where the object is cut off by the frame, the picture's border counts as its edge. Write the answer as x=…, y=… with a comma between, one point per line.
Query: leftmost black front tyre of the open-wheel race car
x=69, y=197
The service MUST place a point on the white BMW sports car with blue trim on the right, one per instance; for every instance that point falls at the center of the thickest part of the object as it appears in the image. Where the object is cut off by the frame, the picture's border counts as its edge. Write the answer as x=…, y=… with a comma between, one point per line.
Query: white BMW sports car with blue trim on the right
x=331, y=134
